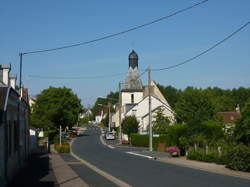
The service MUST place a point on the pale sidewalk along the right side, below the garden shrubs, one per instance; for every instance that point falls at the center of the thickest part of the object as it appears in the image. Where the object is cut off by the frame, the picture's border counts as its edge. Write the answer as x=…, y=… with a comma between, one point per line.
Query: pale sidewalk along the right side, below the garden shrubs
x=210, y=167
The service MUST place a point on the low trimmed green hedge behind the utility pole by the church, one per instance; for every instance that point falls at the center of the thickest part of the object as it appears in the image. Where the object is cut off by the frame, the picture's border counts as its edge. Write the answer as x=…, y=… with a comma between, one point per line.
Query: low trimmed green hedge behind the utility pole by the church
x=140, y=140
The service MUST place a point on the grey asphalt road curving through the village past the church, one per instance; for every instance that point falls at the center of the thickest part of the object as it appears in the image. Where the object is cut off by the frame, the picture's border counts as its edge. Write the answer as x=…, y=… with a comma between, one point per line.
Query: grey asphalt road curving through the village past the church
x=139, y=171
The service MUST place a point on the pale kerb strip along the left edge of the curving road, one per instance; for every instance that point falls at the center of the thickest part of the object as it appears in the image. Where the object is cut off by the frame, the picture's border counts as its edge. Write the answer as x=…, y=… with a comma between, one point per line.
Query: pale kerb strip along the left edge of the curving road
x=99, y=171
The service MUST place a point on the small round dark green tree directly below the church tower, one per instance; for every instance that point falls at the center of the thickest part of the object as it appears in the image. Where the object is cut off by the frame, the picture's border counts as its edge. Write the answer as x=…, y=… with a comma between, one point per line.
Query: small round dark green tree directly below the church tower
x=130, y=125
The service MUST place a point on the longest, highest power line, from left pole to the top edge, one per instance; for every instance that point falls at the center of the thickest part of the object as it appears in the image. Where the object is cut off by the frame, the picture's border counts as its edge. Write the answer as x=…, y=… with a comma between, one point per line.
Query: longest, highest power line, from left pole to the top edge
x=118, y=33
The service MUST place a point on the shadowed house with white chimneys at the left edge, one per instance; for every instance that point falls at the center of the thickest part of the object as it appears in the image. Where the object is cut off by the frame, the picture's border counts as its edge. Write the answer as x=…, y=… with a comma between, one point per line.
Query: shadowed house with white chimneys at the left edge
x=14, y=126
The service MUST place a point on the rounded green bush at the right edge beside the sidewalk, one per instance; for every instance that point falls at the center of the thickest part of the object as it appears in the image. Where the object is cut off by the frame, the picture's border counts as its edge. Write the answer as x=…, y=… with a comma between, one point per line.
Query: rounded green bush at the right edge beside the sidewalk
x=239, y=158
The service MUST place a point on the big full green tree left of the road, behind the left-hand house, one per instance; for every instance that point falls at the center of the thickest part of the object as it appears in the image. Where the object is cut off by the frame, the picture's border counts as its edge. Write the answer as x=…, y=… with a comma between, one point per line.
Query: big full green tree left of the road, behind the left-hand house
x=55, y=107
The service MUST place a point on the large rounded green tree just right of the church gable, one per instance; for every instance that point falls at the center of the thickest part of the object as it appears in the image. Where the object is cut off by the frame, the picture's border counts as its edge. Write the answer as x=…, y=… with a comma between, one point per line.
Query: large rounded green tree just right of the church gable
x=194, y=107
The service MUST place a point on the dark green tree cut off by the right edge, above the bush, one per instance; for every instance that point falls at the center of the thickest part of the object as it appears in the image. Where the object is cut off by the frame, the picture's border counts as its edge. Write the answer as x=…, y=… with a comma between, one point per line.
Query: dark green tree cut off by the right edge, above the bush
x=242, y=127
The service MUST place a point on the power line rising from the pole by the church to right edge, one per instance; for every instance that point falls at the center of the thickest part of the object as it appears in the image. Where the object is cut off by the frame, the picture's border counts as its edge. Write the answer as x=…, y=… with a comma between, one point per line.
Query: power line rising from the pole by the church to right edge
x=206, y=51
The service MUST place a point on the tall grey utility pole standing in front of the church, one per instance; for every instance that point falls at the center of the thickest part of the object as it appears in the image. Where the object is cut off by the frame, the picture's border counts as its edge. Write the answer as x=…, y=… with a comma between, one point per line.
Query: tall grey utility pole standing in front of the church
x=150, y=111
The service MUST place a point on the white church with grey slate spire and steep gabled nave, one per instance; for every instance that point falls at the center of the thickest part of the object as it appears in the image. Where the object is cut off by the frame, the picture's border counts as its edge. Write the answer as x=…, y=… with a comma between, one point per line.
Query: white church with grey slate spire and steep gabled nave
x=135, y=98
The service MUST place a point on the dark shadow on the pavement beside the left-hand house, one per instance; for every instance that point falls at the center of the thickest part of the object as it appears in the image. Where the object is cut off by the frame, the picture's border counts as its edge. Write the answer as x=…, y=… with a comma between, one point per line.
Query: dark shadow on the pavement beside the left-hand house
x=38, y=172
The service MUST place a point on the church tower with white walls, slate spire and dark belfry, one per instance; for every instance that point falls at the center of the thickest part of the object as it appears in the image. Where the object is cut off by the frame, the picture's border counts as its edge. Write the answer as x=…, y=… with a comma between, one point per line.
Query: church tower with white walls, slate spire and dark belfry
x=132, y=93
